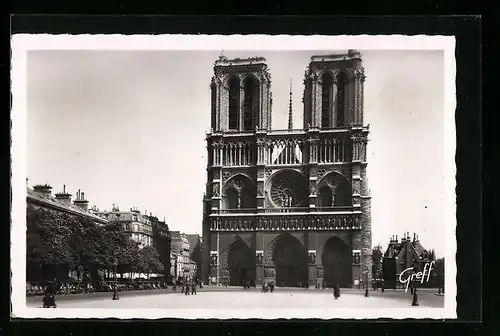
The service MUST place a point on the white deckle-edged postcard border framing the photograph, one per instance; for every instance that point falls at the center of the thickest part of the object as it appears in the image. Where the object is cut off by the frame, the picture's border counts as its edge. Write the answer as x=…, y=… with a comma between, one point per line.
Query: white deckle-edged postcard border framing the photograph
x=22, y=43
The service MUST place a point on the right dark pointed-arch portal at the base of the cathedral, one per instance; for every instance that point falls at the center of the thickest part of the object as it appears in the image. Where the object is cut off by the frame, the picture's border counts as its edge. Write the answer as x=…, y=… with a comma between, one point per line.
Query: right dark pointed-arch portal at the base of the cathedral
x=336, y=260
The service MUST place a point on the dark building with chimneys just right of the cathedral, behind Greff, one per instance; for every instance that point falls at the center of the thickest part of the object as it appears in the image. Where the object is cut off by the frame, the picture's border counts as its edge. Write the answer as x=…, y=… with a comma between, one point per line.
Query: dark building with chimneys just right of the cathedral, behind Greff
x=402, y=255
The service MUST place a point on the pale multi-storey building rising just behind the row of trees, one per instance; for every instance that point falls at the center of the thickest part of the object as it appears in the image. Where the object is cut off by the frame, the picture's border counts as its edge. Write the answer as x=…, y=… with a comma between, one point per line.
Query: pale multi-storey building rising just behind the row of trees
x=138, y=226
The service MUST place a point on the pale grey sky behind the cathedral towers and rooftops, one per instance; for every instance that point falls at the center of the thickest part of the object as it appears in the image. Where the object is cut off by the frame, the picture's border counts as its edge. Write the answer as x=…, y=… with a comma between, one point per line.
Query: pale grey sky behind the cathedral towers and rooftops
x=128, y=128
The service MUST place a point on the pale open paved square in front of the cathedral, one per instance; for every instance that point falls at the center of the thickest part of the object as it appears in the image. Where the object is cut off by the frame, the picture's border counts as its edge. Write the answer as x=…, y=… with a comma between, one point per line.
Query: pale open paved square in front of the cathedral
x=233, y=298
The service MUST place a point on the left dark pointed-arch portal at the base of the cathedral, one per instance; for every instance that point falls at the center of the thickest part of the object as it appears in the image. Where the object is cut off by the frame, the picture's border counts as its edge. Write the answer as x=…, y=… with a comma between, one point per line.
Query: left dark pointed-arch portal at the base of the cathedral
x=241, y=263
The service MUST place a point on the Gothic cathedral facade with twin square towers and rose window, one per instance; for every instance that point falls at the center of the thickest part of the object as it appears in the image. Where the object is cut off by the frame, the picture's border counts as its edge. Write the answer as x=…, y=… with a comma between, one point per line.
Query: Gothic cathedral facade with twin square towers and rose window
x=289, y=206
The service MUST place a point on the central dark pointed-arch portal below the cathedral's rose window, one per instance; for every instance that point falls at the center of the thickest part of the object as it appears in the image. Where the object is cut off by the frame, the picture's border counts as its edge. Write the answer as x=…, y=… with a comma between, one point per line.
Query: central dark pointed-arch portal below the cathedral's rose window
x=290, y=261
